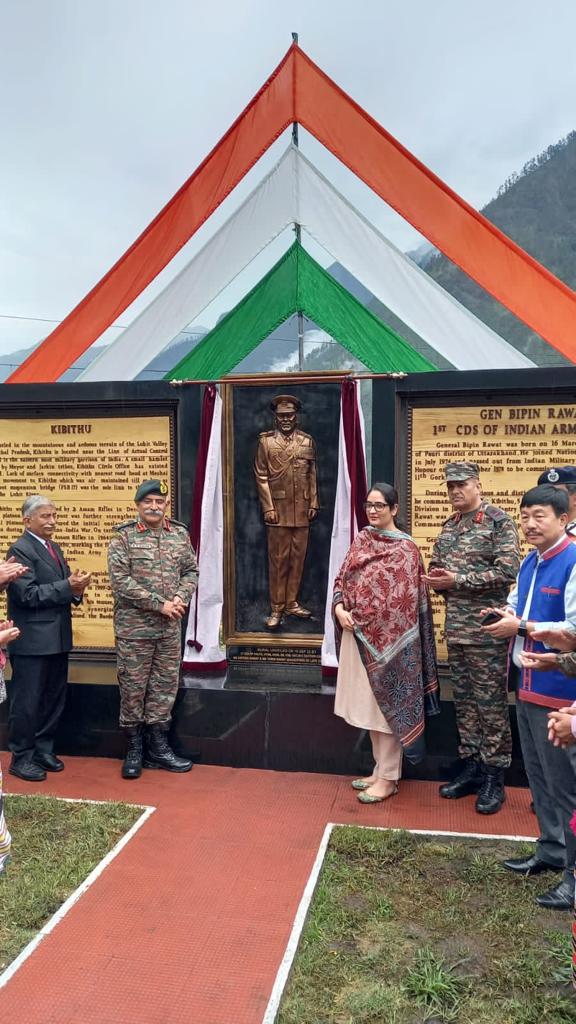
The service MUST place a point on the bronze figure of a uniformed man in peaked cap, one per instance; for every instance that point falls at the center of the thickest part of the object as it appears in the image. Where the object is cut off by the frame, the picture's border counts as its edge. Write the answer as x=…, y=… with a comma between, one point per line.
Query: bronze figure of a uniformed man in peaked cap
x=285, y=472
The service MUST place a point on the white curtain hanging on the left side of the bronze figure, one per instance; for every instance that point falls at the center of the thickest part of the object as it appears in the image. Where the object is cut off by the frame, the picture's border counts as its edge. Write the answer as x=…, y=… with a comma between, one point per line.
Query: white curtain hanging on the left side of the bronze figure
x=211, y=564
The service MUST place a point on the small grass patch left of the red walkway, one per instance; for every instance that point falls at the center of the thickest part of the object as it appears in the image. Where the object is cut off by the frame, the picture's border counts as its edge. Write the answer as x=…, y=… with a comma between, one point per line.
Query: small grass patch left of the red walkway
x=55, y=846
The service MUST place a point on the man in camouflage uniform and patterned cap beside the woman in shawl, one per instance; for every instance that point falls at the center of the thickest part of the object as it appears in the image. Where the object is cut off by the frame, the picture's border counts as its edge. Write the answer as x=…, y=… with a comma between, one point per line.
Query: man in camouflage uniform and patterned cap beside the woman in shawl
x=475, y=564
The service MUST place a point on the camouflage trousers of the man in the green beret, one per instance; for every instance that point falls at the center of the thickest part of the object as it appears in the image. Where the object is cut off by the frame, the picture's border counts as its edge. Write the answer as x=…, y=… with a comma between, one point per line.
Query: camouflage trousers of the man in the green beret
x=148, y=676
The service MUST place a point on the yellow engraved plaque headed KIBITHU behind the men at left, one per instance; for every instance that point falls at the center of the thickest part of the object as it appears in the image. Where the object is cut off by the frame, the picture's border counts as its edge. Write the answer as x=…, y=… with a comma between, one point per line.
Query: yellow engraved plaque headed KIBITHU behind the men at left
x=91, y=466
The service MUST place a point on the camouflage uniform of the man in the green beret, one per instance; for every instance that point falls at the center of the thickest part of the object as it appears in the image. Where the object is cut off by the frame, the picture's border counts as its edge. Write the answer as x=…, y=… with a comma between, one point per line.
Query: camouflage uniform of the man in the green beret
x=148, y=568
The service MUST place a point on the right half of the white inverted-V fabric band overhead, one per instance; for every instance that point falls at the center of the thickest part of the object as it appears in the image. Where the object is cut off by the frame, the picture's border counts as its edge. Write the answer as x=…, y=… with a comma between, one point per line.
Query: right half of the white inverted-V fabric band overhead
x=439, y=319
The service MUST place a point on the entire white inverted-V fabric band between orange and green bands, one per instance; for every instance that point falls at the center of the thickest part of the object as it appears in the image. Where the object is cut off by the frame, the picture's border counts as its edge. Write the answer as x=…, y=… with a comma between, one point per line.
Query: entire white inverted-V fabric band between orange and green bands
x=296, y=193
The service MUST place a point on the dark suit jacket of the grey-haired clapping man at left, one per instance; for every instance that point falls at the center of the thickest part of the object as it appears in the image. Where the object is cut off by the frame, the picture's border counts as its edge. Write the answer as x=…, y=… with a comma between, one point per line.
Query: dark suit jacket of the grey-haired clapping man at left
x=40, y=601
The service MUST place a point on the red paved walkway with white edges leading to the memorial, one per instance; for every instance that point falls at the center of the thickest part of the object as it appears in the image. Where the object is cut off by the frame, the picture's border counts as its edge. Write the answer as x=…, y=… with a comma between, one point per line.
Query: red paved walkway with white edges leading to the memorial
x=189, y=924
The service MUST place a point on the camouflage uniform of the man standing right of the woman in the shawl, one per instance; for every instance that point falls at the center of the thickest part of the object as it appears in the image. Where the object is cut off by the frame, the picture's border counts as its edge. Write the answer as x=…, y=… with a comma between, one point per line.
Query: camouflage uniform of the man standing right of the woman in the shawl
x=482, y=549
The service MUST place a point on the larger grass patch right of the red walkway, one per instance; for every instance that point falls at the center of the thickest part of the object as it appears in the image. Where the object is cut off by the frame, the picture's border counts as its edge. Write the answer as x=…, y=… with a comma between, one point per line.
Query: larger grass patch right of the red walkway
x=409, y=929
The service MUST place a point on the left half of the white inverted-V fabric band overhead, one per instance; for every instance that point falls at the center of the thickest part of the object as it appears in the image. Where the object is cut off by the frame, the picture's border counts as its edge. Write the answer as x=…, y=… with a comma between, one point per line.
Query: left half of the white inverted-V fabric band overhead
x=266, y=214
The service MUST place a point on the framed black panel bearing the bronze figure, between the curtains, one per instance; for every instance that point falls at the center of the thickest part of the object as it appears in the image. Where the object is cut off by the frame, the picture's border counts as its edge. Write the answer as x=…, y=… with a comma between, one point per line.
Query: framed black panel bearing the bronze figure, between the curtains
x=260, y=461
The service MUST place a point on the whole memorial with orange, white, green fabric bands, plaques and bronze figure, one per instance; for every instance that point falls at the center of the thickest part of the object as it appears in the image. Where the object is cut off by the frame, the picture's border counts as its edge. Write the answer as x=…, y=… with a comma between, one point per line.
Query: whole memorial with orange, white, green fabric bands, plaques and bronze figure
x=260, y=634
